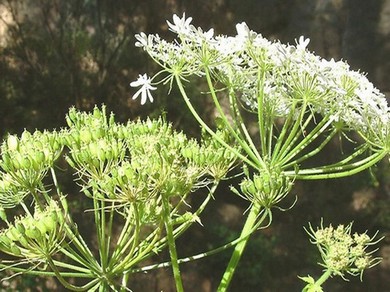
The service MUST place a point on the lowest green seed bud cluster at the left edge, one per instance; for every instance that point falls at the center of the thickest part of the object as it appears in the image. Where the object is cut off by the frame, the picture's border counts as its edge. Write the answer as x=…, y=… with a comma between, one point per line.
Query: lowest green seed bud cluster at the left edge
x=34, y=237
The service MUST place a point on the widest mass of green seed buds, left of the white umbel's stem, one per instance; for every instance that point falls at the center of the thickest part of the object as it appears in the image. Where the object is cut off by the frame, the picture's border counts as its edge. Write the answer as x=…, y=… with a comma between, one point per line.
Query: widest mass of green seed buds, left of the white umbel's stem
x=137, y=163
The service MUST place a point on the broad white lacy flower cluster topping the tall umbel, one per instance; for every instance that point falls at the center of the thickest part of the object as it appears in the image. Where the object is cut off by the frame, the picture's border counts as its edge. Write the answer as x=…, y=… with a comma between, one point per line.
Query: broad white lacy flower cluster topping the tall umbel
x=285, y=77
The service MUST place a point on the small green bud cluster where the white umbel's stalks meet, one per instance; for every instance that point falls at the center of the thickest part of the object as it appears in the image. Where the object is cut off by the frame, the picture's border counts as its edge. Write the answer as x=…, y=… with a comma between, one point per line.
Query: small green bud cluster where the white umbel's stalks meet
x=266, y=188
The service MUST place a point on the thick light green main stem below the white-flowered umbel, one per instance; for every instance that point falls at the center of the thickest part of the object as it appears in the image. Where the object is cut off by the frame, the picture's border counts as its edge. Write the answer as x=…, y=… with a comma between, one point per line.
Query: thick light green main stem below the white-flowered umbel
x=240, y=247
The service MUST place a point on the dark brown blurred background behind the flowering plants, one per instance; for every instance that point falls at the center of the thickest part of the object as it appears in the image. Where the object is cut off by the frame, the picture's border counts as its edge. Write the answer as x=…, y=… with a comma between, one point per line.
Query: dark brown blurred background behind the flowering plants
x=55, y=54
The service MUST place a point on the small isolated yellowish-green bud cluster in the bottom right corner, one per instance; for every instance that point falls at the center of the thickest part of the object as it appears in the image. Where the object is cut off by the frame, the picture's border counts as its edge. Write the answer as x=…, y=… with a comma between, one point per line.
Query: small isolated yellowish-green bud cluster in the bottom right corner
x=343, y=253
